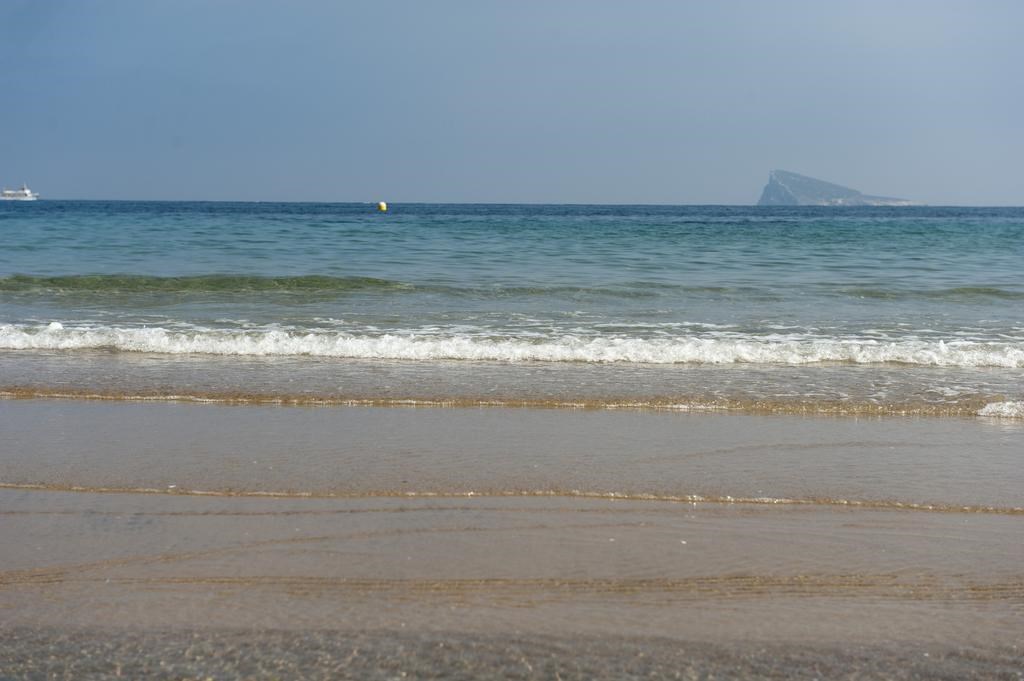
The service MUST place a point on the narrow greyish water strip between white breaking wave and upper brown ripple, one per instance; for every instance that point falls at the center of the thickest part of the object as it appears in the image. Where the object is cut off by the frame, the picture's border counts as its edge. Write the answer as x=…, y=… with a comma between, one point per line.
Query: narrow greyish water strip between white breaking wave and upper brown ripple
x=831, y=390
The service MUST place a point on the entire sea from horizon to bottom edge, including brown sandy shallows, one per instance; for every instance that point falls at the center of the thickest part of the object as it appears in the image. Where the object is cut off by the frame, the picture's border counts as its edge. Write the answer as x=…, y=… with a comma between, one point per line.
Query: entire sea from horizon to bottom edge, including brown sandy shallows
x=321, y=441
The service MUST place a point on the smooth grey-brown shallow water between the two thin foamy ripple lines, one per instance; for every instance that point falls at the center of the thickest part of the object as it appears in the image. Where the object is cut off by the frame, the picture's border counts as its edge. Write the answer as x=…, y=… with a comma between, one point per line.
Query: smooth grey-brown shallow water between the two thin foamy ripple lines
x=364, y=451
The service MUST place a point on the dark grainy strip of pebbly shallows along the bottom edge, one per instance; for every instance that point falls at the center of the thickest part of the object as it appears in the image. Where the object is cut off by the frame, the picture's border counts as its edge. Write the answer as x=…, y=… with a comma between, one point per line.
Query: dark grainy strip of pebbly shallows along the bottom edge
x=376, y=655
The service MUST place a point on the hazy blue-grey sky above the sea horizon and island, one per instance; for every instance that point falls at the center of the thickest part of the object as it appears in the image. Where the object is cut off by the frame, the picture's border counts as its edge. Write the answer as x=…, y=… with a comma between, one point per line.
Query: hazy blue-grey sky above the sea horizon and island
x=675, y=102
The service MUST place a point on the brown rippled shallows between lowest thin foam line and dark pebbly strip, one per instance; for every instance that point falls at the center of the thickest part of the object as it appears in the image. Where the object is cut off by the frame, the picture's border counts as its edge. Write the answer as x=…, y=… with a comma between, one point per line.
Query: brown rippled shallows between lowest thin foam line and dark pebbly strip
x=818, y=578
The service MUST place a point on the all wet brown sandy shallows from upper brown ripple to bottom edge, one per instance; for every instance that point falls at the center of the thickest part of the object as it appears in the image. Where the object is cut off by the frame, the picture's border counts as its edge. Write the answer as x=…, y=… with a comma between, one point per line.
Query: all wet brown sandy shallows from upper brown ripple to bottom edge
x=367, y=543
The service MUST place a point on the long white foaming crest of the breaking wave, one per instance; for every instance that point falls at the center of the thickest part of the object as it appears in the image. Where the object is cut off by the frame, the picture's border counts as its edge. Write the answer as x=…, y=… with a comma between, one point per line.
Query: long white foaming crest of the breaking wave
x=679, y=350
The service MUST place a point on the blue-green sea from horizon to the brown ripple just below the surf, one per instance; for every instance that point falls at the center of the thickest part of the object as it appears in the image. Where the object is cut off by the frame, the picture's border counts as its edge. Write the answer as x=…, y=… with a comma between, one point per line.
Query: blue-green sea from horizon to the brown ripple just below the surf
x=904, y=311
